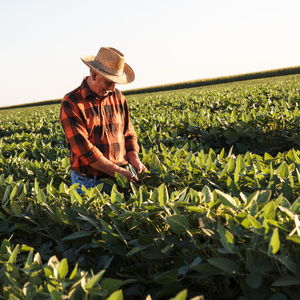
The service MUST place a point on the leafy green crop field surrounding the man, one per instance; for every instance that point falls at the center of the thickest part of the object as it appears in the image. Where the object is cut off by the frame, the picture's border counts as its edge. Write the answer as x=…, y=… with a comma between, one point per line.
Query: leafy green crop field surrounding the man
x=216, y=214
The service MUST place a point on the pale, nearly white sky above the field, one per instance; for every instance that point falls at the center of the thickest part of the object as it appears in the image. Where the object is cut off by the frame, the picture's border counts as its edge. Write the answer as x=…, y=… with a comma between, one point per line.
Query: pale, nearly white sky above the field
x=164, y=41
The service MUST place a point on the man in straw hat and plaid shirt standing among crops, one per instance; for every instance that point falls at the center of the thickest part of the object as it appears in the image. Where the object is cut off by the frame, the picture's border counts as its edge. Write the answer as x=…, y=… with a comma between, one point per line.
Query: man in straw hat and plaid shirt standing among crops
x=95, y=119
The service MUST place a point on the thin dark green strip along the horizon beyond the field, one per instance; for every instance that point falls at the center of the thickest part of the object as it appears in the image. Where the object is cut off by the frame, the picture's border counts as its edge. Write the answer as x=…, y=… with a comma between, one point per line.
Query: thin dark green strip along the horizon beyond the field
x=185, y=84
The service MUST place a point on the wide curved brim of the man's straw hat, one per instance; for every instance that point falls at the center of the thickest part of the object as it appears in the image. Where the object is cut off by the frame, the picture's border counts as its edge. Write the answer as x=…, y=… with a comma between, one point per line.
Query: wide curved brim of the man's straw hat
x=127, y=76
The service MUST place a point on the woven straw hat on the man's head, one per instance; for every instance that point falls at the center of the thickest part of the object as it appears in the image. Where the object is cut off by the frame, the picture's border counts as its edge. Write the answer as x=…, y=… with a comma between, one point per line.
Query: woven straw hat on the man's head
x=110, y=63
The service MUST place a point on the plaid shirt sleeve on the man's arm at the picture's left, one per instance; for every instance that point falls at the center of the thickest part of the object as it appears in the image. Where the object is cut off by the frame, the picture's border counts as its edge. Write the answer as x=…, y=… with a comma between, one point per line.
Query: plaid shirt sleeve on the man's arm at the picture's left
x=76, y=133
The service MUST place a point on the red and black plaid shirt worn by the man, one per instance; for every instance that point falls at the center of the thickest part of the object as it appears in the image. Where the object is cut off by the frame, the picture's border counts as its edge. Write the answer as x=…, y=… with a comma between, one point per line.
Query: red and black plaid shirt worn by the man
x=95, y=127
